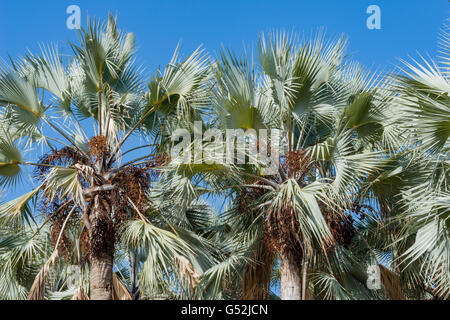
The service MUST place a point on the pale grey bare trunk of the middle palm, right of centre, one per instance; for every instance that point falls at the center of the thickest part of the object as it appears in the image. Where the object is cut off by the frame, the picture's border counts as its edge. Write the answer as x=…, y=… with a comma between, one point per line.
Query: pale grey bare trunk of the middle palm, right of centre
x=290, y=279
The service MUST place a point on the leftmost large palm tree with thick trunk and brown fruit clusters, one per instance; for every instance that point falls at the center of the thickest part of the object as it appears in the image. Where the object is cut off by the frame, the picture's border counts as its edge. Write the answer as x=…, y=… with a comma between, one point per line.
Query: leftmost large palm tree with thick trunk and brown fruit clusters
x=89, y=178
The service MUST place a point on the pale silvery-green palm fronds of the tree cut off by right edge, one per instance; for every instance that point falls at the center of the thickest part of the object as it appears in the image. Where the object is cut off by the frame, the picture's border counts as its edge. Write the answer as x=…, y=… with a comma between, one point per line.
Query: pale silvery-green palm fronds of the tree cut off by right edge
x=424, y=102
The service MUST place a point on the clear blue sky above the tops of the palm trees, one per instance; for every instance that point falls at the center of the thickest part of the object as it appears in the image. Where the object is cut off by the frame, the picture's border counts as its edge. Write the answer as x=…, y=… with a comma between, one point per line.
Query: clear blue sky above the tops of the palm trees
x=407, y=25
